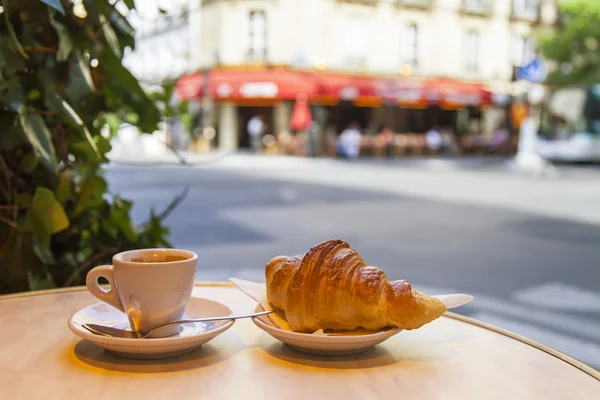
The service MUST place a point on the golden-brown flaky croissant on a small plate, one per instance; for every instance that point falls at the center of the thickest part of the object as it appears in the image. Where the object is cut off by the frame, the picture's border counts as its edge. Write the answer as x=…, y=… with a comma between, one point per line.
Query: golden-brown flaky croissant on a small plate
x=331, y=287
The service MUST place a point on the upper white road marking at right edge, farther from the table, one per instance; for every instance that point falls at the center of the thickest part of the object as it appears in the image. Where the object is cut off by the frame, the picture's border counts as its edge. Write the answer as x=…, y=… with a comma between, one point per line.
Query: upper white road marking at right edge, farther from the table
x=560, y=296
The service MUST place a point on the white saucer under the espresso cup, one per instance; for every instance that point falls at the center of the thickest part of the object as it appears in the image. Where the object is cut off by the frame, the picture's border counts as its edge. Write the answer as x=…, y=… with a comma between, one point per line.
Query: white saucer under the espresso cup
x=190, y=336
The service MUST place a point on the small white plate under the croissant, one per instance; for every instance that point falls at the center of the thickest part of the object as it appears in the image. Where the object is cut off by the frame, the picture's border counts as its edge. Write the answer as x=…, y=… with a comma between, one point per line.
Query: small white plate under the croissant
x=332, y=345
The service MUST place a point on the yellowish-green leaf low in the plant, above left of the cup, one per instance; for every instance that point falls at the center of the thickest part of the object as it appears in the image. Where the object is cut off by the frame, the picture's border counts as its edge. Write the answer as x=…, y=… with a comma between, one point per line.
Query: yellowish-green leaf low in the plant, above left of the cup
x=45, y=215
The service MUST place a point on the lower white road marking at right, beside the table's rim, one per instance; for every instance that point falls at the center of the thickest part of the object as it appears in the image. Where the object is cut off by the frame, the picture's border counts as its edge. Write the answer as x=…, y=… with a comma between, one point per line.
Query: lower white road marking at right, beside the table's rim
x=585, y=351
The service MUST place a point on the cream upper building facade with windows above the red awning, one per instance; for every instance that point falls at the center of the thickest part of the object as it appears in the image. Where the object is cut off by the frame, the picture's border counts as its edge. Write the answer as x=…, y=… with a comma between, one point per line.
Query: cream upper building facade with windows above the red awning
x=462, y=39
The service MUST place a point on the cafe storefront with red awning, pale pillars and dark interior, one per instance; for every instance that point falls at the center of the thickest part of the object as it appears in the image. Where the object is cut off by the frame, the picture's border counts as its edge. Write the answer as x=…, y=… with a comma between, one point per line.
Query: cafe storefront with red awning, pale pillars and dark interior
x=401, y=104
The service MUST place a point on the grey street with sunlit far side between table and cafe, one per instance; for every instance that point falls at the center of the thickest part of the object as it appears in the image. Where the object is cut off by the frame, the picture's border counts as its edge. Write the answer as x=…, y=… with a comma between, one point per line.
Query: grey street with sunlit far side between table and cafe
x=527, y=248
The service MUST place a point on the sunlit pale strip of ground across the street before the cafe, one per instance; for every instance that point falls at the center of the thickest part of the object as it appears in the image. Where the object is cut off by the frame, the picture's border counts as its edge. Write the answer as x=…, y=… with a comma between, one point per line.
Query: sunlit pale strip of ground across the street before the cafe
x=573, y=195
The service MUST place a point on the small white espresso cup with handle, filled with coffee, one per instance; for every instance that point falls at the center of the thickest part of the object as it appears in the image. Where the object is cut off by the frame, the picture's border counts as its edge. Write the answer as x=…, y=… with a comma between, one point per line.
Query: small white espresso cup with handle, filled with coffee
x=151, y=286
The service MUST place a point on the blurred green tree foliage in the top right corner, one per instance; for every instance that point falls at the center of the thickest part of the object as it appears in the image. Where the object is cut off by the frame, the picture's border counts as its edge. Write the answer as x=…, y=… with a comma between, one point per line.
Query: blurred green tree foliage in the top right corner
x=574, y=46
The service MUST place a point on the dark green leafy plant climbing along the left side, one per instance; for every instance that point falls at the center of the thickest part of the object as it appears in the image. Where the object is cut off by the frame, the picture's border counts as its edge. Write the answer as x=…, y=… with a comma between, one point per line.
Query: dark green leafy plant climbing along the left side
x=62, y=83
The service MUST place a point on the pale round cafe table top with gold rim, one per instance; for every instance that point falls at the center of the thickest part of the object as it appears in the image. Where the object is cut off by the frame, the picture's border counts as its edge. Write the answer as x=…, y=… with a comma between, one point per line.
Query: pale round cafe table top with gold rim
x=451, y=358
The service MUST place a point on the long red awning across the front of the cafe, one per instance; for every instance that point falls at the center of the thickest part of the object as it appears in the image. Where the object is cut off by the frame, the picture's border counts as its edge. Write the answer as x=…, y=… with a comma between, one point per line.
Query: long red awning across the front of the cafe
x=329, y=88
